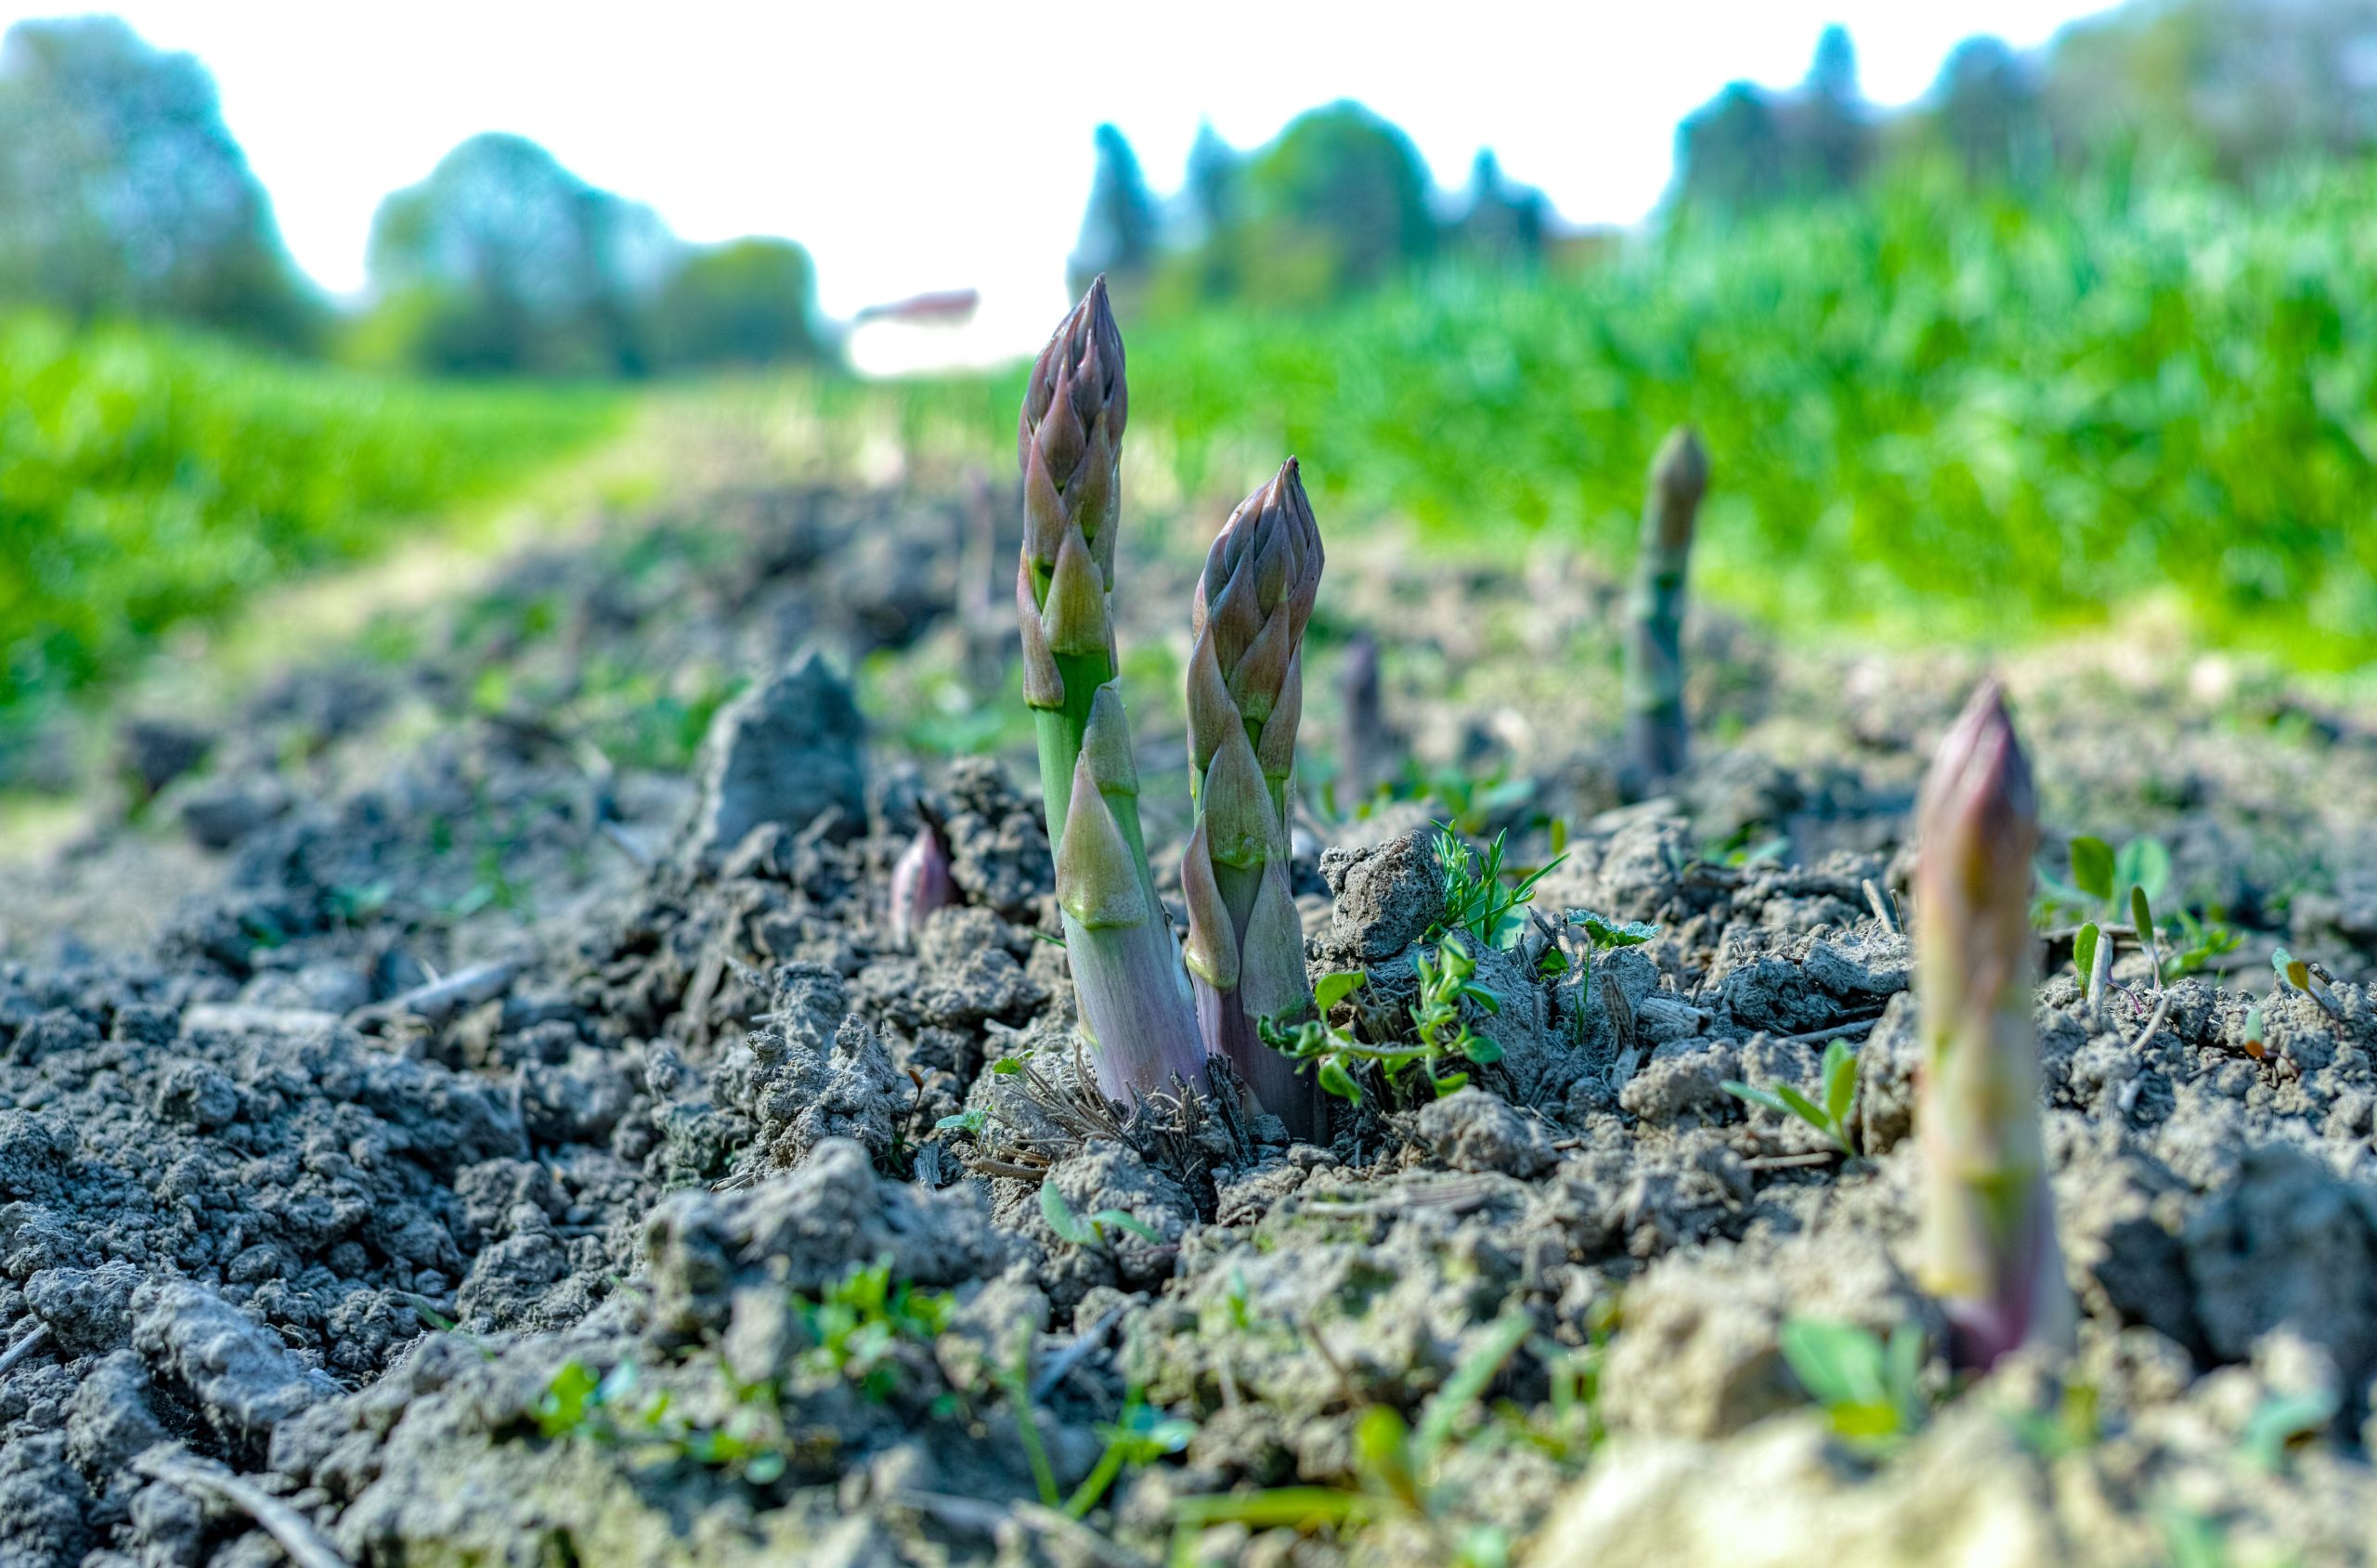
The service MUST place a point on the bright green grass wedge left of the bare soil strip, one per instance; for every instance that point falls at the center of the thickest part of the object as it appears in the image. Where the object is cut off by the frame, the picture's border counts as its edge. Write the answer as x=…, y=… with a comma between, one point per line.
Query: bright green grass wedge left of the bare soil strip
x=151, y=479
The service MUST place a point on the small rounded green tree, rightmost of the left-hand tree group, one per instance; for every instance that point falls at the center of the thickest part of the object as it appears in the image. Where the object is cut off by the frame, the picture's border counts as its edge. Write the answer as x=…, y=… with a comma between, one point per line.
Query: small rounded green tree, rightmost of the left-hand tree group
x=738, y=305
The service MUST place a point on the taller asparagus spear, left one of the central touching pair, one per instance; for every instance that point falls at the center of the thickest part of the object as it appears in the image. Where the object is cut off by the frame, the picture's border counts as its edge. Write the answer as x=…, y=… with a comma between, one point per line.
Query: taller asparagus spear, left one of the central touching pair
x=1126, y=966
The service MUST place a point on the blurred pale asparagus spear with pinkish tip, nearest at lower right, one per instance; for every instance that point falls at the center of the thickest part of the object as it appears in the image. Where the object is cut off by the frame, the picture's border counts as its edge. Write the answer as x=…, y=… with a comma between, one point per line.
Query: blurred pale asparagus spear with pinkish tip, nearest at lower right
x=1988, y=1218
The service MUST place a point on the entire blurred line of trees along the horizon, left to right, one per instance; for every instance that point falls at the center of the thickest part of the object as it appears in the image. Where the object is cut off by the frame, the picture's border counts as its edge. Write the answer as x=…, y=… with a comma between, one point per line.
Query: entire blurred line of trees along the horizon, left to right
x=122, y=194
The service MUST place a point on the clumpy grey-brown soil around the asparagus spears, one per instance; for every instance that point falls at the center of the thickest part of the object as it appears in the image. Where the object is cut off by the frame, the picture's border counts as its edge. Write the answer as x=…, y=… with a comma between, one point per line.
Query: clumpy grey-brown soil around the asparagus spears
x=453, y=1118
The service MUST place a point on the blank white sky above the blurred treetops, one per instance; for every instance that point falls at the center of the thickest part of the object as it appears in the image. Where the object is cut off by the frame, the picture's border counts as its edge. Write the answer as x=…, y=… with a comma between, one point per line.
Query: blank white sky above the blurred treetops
x=921, y=146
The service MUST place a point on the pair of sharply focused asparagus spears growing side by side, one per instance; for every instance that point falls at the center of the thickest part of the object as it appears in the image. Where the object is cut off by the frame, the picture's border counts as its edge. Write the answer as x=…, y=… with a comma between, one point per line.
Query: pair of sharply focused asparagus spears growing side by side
x=1142, y=1011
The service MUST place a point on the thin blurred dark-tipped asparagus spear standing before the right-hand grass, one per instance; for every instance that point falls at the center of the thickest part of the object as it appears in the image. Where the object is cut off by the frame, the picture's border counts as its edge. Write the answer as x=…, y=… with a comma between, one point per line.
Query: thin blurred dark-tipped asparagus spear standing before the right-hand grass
x=1656, y=723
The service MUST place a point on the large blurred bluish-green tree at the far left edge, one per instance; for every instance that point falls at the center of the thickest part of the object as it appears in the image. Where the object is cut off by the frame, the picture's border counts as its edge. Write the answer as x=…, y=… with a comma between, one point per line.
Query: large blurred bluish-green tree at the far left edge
x=122, y=191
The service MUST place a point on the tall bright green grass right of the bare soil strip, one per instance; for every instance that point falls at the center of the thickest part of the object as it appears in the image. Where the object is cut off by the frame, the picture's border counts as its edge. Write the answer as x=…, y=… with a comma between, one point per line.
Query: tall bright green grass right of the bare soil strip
x=1929, y=410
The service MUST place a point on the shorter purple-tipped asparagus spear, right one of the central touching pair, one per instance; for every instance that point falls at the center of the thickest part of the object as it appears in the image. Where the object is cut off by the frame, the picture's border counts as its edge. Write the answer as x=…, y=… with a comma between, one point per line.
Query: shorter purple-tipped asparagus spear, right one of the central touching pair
x=1247, y=944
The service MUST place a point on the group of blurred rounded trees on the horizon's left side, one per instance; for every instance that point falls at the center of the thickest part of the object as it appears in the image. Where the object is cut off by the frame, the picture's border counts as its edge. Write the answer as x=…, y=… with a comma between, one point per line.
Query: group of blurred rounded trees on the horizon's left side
x=122, y=194
